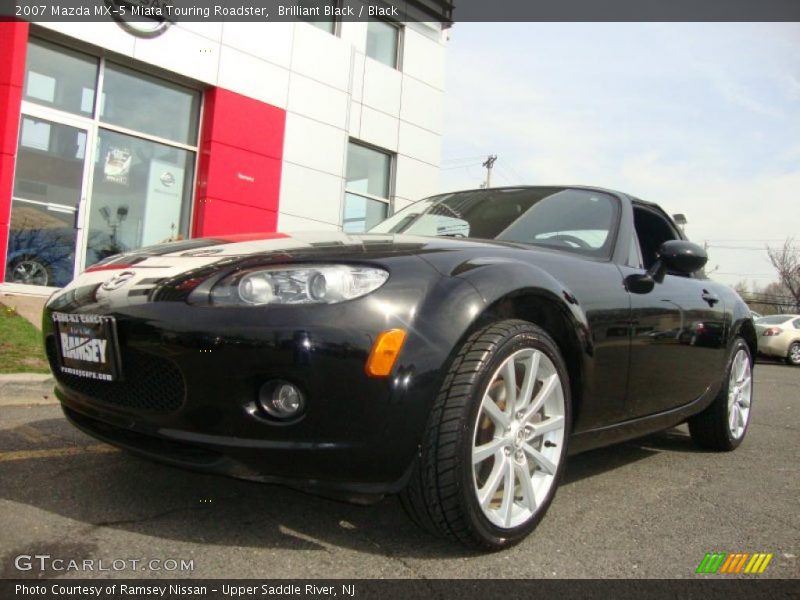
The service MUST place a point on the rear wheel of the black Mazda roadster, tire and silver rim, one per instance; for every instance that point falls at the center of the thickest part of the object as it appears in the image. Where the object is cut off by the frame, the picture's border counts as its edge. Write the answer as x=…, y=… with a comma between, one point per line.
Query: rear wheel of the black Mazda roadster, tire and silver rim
x=723, y=425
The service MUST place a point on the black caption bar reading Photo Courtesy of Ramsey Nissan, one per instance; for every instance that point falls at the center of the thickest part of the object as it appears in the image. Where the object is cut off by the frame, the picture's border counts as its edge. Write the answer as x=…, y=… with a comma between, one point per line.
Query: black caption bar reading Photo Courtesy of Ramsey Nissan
x=466, y=589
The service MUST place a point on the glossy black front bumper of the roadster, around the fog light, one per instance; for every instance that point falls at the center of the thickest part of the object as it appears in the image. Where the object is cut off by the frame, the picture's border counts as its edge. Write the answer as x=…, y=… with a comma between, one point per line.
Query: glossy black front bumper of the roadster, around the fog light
x=191, y=377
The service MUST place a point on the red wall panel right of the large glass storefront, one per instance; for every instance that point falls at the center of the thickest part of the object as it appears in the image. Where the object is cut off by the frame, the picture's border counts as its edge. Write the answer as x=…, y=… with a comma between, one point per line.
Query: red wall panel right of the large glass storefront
x=239, y=168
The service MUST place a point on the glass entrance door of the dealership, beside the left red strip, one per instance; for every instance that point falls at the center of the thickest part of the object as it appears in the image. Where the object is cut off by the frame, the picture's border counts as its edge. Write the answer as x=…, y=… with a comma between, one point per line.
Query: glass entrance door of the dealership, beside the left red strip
x=49, y=187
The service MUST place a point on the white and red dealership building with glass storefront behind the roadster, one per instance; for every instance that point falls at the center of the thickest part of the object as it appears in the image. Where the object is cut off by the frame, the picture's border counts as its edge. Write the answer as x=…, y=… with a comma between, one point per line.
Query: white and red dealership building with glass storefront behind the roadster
x=115, y=136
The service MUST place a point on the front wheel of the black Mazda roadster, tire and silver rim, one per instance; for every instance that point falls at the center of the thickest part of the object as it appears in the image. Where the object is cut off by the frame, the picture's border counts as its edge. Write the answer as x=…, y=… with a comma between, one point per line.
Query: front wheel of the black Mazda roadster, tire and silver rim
x=473, y=451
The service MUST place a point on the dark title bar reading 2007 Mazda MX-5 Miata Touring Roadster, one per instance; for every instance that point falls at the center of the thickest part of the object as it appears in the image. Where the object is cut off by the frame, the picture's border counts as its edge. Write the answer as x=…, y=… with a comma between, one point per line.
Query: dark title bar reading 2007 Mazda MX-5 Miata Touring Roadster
x=443, y=11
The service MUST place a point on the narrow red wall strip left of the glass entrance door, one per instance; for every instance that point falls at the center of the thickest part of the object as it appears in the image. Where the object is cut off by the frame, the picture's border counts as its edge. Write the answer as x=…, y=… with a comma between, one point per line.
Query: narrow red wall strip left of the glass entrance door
x=13, y=47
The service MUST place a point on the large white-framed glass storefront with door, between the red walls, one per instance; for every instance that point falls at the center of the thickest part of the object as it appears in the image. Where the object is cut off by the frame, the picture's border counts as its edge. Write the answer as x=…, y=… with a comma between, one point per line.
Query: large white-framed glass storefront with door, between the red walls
x=105, y=164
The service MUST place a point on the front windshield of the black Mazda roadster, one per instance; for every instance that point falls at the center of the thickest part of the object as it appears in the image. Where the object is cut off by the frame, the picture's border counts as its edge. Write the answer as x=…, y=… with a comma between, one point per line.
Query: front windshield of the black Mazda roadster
x=576, y=220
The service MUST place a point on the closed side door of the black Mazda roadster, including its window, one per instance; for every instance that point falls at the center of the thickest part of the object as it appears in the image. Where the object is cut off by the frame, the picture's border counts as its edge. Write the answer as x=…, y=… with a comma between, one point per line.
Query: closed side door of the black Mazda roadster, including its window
x=678, y=330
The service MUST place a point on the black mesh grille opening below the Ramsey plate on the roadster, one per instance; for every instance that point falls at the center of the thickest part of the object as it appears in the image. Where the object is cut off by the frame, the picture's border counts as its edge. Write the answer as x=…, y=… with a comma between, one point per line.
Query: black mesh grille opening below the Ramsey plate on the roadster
x=151, y=383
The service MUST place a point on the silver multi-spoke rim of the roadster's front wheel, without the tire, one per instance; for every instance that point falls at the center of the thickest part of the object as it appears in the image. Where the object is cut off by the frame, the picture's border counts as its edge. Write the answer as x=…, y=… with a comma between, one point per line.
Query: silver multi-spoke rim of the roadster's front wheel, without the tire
x=518, y=439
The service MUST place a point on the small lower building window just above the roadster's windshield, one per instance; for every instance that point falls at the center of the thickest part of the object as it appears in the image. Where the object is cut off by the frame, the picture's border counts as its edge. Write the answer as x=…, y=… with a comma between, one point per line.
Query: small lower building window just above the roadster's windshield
x=367, y=189
